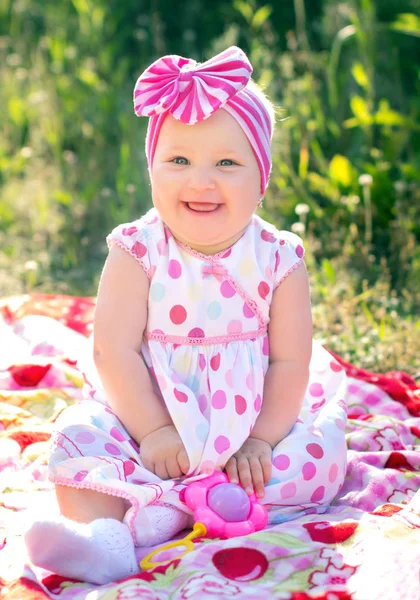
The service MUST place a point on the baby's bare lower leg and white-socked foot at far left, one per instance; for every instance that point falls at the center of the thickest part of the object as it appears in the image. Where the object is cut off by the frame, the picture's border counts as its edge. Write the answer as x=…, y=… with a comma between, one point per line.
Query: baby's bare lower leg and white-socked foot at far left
x=89, y=542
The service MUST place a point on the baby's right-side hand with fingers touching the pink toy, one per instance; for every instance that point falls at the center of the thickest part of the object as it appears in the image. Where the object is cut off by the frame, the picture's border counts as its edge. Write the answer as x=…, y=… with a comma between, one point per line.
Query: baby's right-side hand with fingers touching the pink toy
x=251, y=466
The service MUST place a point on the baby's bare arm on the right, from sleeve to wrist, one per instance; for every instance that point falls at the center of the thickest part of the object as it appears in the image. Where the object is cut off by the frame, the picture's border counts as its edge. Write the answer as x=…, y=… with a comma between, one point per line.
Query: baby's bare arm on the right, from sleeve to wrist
x=290, y=340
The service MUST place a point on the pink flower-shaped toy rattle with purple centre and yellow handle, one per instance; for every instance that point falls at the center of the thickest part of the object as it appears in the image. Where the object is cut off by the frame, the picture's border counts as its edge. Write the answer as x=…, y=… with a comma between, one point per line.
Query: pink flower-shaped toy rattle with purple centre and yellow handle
x=221, y=509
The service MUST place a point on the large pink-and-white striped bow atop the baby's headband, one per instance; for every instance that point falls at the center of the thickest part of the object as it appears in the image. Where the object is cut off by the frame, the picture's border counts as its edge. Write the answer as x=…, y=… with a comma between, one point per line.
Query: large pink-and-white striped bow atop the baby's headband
x=190, y=91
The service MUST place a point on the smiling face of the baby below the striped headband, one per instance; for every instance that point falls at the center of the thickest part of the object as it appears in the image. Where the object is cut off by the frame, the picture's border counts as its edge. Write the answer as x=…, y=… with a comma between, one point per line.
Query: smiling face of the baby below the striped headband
x=205, y=181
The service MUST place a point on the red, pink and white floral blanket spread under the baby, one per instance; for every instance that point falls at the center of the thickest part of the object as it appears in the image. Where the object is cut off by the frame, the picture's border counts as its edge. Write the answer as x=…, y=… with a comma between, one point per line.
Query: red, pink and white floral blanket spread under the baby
x=366, y=546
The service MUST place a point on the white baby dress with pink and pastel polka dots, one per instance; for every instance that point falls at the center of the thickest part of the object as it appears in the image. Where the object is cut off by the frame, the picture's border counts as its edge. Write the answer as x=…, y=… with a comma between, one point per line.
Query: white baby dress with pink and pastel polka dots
x=207, y=351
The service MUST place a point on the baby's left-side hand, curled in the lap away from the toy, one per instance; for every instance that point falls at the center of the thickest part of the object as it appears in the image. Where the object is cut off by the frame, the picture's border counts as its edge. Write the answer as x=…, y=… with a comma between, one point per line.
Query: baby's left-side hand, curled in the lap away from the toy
x=163, y=453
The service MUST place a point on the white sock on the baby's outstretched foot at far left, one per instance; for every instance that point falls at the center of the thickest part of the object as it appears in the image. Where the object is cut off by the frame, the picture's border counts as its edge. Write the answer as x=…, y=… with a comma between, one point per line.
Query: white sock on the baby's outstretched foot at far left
x=99, y=552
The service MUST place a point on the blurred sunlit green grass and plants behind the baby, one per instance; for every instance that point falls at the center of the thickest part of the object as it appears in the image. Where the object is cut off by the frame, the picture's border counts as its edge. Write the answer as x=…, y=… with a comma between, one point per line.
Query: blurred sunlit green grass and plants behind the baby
x=345, y=77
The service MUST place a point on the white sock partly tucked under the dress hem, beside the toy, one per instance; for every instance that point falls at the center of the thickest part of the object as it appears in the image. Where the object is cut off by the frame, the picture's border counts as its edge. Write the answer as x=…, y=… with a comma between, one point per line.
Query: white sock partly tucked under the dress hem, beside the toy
x=159, y=523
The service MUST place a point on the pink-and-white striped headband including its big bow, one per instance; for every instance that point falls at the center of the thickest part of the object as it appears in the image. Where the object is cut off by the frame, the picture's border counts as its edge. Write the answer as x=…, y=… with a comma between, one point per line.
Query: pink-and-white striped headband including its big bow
x=192, y=92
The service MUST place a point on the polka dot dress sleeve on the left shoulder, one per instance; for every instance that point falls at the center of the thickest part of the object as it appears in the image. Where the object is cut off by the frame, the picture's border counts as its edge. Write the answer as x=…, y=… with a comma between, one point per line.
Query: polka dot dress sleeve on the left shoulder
x=131, y=238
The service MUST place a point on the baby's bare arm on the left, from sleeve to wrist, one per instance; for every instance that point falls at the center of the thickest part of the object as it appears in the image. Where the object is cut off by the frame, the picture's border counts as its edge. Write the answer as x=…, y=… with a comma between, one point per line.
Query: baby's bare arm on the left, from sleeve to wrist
x=119, y=324
